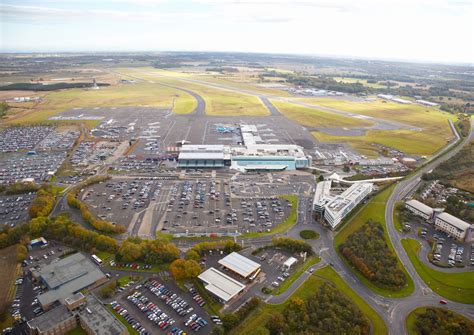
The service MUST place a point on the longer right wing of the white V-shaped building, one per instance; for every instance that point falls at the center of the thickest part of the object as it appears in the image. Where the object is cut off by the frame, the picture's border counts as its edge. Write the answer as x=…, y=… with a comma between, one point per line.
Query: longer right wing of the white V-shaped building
x=341, y=205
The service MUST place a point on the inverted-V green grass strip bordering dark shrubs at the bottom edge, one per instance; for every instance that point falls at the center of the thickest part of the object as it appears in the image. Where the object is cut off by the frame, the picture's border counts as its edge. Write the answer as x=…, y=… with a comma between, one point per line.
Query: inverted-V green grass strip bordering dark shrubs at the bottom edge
x=254, y=323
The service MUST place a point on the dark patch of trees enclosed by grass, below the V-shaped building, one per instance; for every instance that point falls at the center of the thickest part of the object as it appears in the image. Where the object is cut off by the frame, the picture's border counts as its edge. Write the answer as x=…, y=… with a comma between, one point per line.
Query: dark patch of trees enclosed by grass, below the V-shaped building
x=367, y=250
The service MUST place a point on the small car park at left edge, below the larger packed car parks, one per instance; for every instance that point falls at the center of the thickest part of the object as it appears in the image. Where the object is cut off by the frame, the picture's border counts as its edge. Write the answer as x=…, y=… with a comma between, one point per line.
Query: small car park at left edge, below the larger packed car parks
x=14, y=208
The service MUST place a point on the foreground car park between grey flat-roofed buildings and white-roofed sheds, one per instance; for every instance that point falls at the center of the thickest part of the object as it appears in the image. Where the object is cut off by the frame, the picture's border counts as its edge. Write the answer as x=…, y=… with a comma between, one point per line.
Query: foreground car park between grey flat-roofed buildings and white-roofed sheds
x=157, y=307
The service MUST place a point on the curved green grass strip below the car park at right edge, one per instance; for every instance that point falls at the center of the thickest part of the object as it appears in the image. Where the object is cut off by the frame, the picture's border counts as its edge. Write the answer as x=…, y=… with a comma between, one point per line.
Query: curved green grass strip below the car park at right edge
x=453, y=286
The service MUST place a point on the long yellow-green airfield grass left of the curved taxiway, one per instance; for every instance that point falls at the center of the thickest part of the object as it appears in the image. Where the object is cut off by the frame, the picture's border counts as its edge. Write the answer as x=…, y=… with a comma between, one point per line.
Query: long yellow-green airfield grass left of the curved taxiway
x=139, y=94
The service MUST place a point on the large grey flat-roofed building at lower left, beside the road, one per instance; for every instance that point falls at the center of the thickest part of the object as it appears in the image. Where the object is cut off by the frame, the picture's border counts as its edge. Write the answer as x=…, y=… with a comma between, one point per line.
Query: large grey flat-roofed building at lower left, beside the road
x=66, y=277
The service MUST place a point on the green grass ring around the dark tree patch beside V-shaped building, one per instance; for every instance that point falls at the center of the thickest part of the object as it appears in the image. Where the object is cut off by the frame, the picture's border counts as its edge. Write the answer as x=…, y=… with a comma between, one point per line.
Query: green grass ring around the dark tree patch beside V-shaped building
x=374, y=210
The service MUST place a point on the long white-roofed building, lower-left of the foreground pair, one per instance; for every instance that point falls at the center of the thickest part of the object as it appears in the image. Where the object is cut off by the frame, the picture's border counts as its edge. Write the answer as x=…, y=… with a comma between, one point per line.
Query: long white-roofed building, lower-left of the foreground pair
x=222, y=286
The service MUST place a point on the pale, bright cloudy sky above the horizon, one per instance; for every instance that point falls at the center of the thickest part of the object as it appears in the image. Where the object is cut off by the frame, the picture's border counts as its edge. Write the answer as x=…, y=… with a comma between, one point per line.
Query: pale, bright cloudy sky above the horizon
x=417, y=30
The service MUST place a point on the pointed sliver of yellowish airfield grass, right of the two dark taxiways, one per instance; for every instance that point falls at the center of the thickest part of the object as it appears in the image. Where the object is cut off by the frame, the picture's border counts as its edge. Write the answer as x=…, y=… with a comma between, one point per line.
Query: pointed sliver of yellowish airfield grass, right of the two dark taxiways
x=310, y=117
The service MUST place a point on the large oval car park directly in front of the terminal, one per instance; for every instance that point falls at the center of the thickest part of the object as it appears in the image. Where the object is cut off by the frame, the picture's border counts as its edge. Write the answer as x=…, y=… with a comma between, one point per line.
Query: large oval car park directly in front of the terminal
x=182, y=206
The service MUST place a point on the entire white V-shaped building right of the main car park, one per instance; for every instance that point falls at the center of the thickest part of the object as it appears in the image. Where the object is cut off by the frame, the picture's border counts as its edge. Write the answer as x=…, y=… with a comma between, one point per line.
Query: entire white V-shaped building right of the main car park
x=334, y=208
